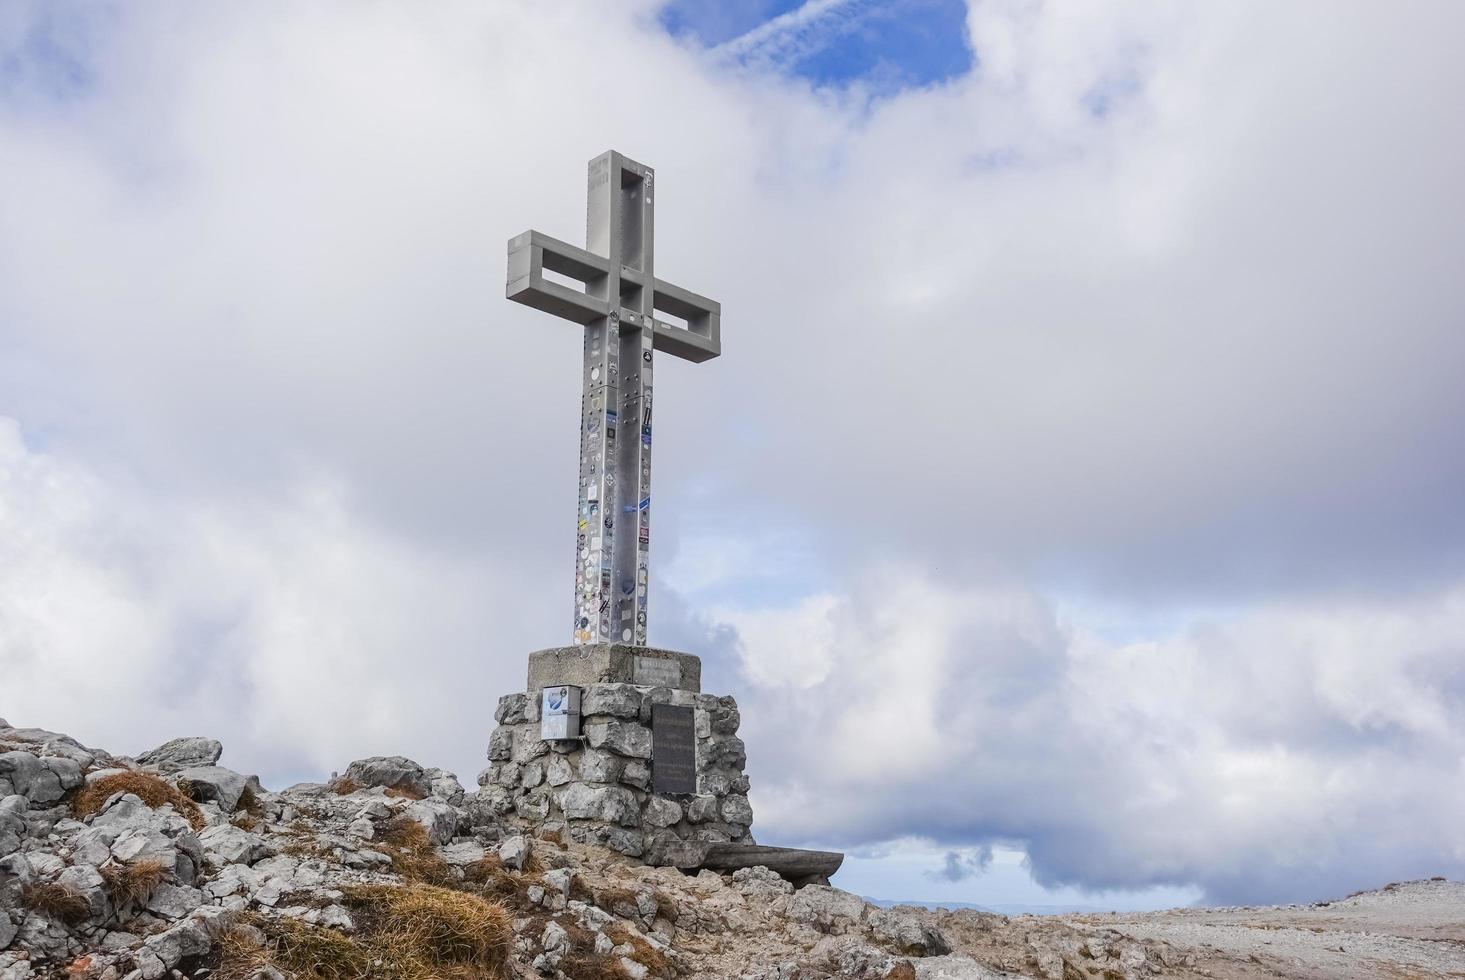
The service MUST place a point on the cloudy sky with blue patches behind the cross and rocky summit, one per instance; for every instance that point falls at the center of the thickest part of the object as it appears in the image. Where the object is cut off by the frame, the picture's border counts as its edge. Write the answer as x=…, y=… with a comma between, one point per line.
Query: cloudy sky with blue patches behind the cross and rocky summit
x=1075, y=509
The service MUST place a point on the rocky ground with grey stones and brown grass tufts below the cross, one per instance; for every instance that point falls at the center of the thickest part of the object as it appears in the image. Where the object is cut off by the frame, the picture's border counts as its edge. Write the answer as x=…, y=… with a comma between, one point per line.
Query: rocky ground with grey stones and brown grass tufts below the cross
x=169, y=865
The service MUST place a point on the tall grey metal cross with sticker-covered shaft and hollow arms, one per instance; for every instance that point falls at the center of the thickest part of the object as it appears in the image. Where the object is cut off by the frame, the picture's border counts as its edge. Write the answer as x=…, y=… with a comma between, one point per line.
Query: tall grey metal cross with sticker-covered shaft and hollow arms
x=617, y=297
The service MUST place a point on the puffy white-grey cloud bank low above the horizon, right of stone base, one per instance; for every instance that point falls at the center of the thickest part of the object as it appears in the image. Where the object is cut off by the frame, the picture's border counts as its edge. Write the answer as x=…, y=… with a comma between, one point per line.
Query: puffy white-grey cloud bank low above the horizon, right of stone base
x=1245, y=757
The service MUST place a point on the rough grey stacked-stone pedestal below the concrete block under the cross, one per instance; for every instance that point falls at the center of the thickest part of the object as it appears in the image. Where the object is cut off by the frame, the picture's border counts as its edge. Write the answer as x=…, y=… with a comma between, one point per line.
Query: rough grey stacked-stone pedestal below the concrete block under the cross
x=598, y=789
